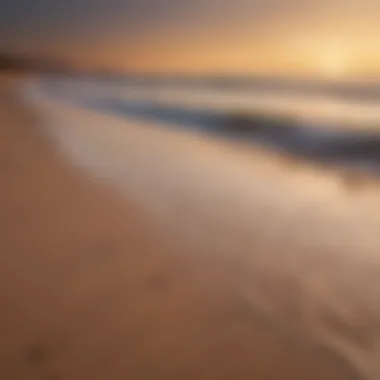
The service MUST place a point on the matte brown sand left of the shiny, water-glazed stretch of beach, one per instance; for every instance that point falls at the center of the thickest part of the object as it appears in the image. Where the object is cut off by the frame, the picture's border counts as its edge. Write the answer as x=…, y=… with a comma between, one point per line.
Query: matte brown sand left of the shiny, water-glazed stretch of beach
x=92, y=288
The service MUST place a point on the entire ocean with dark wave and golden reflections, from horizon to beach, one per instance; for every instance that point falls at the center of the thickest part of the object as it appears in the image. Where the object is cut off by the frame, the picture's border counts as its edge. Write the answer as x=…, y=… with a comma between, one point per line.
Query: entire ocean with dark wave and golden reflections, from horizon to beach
x=330, y=122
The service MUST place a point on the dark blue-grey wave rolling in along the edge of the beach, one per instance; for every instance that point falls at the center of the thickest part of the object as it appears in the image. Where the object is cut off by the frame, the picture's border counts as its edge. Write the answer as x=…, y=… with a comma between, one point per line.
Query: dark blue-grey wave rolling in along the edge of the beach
x=316, y=139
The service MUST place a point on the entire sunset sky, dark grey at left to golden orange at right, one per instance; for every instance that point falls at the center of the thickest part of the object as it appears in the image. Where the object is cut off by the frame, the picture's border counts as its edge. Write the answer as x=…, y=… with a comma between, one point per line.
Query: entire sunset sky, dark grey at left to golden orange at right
x=287, y=37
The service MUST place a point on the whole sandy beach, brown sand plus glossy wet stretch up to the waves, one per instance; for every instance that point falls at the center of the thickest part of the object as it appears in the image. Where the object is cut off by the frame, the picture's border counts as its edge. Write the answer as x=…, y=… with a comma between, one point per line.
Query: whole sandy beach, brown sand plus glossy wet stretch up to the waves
x=119, y=261
